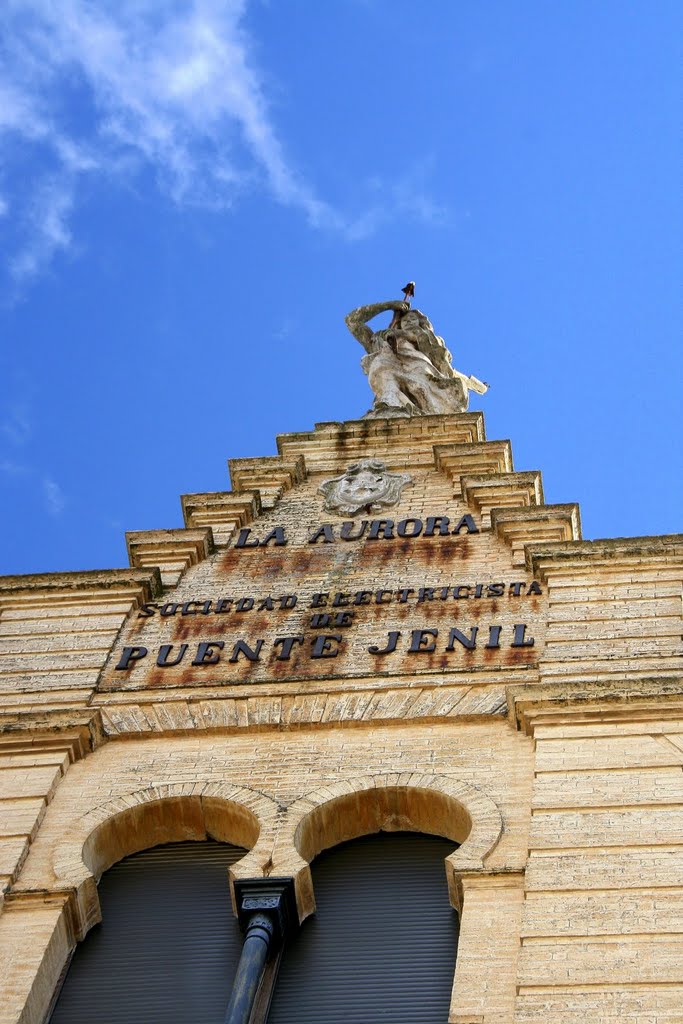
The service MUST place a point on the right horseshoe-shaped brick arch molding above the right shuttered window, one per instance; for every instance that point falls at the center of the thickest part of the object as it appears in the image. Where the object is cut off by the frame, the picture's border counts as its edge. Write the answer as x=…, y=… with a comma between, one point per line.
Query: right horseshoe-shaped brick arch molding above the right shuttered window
x=407, y=802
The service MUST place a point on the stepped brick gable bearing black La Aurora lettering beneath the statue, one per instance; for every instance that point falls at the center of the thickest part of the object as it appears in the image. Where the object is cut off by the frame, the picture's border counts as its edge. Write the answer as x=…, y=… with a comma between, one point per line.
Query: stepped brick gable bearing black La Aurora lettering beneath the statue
x=455, y=474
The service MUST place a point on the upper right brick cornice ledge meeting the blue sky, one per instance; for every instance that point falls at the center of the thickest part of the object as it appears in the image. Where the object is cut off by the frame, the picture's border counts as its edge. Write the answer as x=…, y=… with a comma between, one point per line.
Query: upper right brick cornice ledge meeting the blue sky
x=541, y=558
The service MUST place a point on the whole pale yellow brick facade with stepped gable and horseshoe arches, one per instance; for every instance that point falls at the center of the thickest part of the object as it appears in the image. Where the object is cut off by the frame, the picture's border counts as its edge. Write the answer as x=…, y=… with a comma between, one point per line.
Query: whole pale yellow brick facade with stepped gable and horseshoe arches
x=382, y=680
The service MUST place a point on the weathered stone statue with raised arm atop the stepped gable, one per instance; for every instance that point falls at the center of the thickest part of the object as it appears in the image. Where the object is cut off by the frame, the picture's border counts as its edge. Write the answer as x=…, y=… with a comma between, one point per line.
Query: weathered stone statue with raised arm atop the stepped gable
x=408, y=366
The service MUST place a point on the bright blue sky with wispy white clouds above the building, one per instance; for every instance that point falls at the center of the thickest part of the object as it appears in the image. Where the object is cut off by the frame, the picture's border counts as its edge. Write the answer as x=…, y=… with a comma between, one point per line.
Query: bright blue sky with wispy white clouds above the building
x=193, y=195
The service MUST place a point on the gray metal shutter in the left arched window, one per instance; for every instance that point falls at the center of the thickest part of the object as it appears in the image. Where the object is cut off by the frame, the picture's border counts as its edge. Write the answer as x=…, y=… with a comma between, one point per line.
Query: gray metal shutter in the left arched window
x=168, y=947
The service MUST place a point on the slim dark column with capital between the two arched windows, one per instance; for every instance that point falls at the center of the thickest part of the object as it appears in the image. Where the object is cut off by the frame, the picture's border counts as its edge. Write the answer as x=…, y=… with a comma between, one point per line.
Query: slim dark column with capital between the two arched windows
x=268, y=914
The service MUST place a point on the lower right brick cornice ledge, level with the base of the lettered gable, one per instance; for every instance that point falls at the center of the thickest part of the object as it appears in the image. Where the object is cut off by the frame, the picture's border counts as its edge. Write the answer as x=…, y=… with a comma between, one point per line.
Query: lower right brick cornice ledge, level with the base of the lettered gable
x=542, y=704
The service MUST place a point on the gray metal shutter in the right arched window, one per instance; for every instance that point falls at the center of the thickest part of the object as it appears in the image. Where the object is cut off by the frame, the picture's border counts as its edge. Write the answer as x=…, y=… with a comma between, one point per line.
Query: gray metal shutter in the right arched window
x=382, y=945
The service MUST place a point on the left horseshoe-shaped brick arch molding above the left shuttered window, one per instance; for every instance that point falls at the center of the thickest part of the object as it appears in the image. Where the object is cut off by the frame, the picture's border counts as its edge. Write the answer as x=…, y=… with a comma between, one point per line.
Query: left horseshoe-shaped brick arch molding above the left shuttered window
x=155, y=816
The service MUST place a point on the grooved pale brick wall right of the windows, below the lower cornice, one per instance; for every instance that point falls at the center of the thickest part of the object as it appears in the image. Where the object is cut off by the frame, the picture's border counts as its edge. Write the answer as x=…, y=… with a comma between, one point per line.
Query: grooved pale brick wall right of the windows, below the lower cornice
x=603, y=931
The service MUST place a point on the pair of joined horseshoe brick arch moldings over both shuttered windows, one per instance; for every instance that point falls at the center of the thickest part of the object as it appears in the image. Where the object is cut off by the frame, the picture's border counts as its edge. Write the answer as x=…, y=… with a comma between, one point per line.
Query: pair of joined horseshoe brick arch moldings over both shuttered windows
x=281, y=842
